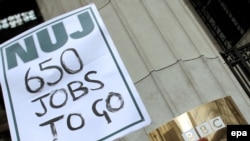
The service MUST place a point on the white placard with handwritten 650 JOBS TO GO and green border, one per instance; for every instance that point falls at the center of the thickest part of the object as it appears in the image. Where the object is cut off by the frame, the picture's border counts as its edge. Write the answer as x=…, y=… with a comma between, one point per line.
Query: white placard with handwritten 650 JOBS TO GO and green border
x=64, y=80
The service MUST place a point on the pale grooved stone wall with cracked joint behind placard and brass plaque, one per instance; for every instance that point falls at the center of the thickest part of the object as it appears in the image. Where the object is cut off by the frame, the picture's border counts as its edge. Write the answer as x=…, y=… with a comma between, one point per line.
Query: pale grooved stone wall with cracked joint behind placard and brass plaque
x=170, y=57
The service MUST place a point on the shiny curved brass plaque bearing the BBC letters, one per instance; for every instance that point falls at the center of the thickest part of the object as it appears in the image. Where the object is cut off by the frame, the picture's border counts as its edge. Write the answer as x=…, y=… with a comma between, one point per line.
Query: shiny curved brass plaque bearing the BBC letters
x=217, y=120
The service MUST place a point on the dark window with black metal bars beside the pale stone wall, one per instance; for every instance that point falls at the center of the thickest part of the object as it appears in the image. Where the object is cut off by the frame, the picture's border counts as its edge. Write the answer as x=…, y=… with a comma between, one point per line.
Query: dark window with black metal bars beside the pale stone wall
x=229, y=21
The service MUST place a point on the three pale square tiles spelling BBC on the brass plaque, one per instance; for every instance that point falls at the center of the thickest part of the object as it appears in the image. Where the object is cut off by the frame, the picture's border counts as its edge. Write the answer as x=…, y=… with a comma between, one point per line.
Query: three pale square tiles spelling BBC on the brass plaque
x=204, y=129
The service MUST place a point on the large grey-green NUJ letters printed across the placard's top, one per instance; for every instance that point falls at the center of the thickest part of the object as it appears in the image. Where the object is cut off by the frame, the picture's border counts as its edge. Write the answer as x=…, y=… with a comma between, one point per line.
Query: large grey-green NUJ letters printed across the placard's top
x=28, y=52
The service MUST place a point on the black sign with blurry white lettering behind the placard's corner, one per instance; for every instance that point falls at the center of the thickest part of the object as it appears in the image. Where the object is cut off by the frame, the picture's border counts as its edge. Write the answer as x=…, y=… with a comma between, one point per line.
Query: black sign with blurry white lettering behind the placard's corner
x=17, y=16
